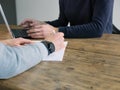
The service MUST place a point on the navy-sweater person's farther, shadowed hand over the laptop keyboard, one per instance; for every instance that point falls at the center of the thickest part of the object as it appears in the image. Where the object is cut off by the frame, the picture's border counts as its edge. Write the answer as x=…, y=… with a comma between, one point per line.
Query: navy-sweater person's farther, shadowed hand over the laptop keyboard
x=30, y=23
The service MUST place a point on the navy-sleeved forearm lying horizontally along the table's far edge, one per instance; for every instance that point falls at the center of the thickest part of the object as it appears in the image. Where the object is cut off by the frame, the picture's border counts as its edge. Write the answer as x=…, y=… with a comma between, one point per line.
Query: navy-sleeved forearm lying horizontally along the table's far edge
x=90, y=30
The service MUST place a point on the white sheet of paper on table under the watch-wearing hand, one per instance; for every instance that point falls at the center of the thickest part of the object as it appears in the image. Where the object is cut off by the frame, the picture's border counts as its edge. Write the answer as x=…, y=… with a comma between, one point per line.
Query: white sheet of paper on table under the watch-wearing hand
x=56, y=56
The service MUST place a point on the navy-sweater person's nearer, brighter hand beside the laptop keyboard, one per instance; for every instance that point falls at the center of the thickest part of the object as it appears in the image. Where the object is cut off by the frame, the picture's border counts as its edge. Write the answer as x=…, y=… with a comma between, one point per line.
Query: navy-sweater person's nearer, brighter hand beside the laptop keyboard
x=41, y=31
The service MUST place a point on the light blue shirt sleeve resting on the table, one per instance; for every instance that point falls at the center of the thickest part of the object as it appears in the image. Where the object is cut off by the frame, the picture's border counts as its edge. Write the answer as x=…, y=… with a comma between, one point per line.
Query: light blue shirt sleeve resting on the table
x=15, y=60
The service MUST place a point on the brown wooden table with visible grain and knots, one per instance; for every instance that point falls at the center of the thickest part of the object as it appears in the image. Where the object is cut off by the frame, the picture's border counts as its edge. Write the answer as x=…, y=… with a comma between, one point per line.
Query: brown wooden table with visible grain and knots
x=88, y=64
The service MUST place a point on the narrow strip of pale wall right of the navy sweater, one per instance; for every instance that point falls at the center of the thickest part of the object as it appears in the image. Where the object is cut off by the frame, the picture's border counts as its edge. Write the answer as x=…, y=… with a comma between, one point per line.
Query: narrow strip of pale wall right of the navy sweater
x=116, y=13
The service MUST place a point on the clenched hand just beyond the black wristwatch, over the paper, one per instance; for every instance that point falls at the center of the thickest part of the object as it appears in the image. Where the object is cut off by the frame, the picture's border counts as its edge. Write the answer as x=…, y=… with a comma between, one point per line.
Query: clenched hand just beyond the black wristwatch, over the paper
x=57, y=39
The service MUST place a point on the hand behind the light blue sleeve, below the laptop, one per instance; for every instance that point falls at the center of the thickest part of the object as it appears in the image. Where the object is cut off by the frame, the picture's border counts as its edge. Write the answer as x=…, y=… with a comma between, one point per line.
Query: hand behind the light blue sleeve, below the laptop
x=16, y=42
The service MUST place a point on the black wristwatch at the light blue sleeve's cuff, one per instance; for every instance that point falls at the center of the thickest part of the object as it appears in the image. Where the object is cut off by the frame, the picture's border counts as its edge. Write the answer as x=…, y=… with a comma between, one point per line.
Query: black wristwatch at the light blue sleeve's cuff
x=49, y=45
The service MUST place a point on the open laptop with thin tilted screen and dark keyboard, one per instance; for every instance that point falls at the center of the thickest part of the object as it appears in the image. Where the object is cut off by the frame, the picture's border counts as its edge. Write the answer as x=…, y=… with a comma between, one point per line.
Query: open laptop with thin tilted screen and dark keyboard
x=13, y=32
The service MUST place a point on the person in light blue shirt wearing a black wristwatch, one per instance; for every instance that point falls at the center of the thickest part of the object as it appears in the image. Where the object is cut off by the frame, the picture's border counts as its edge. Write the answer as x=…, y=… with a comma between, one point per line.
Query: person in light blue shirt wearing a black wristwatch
x=19, y=55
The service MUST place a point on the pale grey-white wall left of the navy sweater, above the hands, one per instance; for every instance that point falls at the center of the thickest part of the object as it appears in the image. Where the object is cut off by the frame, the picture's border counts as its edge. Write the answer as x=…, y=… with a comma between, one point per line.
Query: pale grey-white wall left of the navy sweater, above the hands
x=43, y=10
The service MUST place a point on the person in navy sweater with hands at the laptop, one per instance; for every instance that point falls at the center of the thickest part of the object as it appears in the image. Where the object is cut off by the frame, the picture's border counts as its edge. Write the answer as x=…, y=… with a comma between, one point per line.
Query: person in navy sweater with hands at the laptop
x=87, y=18
